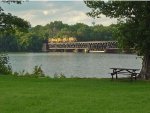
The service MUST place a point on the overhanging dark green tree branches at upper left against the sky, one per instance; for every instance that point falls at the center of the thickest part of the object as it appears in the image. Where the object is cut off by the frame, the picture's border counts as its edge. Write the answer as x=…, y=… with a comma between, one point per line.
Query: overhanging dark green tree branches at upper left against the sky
x=9, y=23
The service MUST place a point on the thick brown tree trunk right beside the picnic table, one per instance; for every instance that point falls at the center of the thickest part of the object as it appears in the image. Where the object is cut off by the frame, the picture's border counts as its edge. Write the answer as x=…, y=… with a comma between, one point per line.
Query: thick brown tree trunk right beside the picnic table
x=145, y=71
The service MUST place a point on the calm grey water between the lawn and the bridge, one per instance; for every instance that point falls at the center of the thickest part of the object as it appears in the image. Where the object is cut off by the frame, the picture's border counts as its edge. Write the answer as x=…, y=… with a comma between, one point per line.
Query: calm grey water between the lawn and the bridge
x=74, y=64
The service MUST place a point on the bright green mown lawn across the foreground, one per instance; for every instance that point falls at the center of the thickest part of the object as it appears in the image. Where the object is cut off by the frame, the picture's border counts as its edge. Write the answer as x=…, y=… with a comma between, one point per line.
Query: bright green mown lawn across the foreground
x=45, y=95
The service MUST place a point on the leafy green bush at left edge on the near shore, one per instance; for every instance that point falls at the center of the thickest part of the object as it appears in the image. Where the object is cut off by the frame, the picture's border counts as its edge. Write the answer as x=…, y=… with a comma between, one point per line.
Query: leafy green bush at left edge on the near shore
x=5, y=67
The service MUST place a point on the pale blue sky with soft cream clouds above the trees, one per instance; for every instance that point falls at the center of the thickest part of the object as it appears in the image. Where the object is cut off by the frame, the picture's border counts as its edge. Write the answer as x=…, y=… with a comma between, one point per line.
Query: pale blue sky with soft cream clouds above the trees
x=44, y=12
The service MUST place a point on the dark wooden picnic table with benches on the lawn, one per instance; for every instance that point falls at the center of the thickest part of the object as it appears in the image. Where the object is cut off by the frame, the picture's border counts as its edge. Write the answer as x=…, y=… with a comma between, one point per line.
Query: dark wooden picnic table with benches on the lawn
x=124, y=71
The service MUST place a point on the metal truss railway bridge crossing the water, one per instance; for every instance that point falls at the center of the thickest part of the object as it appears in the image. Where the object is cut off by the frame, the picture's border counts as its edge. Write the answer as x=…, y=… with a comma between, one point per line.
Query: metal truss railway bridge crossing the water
x=89, y=46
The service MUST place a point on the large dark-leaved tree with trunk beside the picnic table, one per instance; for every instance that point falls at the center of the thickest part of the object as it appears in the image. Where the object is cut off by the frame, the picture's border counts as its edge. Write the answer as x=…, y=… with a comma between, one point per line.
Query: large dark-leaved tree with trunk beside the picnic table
x=134, y=28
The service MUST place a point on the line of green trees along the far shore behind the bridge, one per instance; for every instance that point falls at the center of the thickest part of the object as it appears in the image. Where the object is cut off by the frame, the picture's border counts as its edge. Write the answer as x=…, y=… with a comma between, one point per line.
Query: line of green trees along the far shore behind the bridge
x=33, y=38
